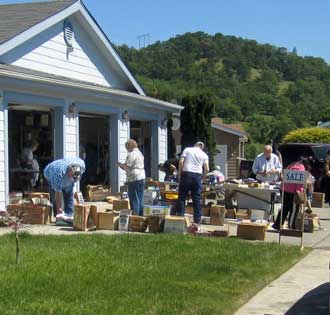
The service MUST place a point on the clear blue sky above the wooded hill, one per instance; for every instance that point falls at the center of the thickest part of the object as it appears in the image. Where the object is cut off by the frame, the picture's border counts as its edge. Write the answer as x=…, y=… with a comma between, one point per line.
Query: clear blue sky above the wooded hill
x=304, y=24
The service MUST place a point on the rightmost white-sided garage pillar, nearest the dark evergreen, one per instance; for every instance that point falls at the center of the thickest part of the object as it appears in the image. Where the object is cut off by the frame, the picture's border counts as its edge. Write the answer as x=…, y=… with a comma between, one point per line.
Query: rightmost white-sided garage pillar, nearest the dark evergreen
x=159, y=148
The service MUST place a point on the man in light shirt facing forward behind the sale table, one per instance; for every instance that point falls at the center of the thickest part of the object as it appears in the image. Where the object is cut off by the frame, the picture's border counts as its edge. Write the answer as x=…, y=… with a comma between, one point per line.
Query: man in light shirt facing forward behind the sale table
x=267, y=166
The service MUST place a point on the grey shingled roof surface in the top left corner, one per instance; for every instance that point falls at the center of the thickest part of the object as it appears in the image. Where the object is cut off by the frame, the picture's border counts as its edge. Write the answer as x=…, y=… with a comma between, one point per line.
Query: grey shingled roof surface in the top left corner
x=25, y=15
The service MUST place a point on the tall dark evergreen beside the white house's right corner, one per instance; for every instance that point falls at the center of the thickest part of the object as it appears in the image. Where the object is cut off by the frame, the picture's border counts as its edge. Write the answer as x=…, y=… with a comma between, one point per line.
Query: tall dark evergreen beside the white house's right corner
x=196, y=120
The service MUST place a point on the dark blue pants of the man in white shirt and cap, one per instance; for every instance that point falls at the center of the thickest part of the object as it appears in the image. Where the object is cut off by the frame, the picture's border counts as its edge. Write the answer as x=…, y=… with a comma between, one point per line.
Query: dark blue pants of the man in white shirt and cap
x=190, y=182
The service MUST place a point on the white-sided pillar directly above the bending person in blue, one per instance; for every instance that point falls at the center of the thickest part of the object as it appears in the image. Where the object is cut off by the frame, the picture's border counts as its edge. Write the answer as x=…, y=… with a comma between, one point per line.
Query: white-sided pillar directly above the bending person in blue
x=70, y=130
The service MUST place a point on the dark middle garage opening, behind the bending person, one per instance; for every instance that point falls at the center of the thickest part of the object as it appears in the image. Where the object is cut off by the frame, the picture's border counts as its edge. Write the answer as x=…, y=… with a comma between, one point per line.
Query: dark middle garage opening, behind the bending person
x=94, y=148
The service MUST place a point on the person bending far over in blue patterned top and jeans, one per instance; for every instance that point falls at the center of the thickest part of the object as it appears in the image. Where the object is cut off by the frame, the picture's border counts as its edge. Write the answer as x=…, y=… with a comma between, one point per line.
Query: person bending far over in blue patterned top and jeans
x=61, y=176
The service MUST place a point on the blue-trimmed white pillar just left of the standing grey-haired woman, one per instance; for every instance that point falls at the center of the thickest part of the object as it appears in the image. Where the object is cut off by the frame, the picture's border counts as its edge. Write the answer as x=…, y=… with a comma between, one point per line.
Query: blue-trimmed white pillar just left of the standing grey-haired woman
x=119, y=134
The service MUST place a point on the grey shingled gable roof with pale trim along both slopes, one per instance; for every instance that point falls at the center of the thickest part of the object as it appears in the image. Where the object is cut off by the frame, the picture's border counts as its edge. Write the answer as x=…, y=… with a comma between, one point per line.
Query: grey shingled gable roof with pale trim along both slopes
x=21, y=21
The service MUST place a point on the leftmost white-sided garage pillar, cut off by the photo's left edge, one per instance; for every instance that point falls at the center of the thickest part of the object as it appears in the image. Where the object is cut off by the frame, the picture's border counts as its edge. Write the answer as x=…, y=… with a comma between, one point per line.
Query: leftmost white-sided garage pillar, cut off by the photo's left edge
x=4, y=178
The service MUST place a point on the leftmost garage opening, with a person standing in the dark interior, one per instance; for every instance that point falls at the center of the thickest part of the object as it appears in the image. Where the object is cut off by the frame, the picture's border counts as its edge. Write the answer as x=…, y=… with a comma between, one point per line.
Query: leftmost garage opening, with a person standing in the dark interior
x=31, y=146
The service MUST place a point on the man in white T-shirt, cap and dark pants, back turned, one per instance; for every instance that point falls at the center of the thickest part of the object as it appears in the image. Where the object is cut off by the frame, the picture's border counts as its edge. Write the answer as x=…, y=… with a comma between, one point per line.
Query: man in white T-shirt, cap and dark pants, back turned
x=193, y=165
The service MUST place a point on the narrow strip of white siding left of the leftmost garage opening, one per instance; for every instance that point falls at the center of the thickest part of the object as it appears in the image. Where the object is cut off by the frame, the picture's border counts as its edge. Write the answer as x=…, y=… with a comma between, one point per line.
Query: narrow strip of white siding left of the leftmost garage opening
x=2, y=155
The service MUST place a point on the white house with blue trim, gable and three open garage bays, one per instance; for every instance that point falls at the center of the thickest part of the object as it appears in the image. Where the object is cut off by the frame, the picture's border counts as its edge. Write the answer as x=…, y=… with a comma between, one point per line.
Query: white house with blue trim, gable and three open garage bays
x=61, y=81
